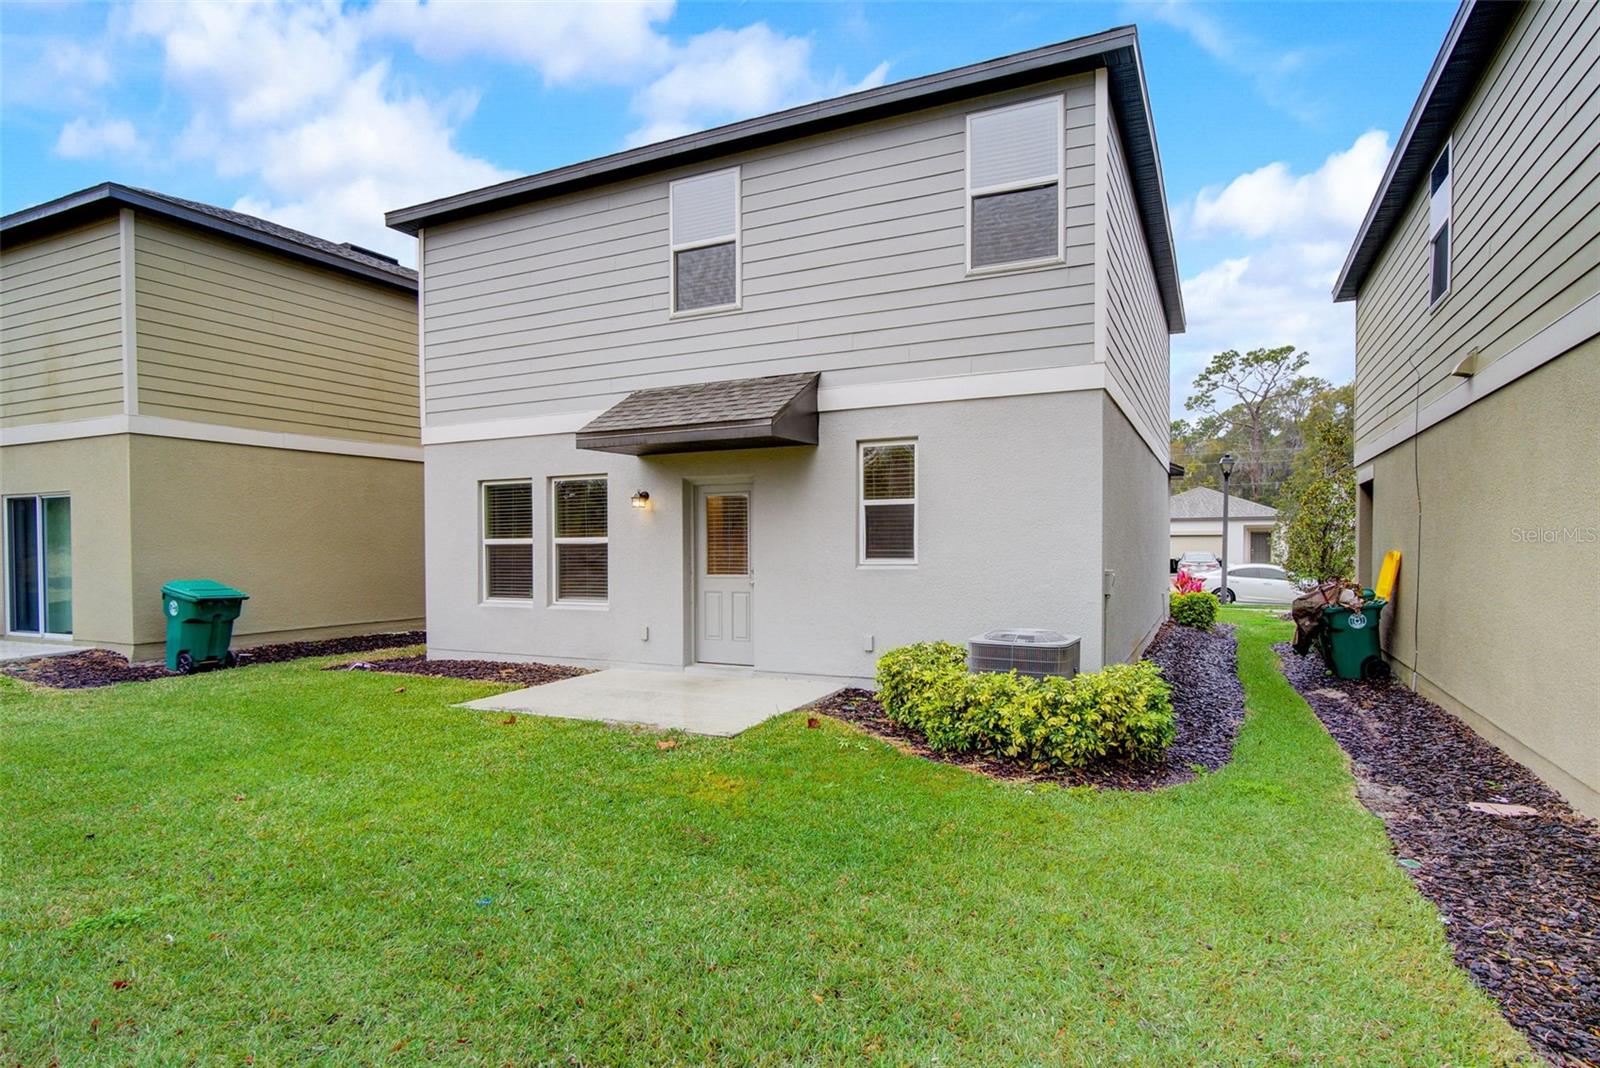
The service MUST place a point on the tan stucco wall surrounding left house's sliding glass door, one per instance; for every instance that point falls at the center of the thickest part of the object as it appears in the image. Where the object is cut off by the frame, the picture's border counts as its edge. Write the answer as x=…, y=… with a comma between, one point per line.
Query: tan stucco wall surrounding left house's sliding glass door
x=95, y=474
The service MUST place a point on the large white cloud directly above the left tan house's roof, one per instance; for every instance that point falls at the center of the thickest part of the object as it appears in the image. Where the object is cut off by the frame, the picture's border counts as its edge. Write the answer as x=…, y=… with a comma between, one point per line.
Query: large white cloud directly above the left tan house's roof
x=282, y=98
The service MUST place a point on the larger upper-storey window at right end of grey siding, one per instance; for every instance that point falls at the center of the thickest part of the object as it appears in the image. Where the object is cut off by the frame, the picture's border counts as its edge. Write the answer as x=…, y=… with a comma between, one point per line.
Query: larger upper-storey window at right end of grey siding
x=1015, y=189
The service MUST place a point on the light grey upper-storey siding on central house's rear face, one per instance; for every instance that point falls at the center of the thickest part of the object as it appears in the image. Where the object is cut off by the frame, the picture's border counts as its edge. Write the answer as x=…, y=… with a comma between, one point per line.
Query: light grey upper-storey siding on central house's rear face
x=854, y=263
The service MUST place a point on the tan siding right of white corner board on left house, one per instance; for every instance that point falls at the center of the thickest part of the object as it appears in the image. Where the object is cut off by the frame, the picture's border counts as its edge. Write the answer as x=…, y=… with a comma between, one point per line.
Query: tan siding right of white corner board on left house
x=231, y=335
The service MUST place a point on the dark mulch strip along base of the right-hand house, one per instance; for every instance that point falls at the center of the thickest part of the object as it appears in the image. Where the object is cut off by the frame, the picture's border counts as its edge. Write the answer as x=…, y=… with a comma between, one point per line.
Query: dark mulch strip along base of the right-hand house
x=1521, y=896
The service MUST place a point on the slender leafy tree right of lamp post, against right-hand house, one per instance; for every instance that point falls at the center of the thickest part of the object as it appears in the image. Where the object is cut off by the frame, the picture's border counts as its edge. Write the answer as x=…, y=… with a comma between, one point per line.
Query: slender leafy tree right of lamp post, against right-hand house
x=1318, y=519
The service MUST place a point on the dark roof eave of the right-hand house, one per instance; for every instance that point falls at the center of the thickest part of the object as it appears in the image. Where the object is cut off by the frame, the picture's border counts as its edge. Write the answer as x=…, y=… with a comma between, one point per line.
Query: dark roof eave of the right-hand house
x=1470, y=47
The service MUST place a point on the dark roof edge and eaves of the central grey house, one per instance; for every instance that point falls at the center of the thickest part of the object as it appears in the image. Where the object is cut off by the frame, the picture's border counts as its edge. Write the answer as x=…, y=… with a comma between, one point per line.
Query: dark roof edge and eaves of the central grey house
x=1116, y=50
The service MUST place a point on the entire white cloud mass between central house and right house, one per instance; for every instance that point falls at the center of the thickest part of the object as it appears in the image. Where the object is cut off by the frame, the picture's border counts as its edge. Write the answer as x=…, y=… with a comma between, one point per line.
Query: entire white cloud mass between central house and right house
x=1278, y=292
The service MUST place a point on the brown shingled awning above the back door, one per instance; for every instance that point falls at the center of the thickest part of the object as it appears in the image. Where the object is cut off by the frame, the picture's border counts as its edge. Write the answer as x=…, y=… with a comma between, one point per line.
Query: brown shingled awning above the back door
x=735, y=415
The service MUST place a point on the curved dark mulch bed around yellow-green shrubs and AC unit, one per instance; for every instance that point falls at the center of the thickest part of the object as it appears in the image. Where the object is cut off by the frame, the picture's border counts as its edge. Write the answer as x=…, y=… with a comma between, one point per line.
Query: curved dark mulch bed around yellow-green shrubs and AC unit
x=1207, y=699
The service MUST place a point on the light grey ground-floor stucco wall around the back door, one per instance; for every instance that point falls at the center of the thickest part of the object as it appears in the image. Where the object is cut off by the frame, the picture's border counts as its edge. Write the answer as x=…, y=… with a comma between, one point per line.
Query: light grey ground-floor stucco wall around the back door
x=1007, y=536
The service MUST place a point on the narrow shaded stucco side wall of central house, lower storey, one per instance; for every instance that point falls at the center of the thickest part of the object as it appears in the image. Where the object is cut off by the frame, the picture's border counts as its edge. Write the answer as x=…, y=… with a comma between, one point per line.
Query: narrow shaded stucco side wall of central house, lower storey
x=1135, y=536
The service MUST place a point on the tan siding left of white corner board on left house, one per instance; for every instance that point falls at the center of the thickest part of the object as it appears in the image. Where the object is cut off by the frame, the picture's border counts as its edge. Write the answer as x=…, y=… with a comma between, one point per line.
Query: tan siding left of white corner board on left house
x=62, y=327
